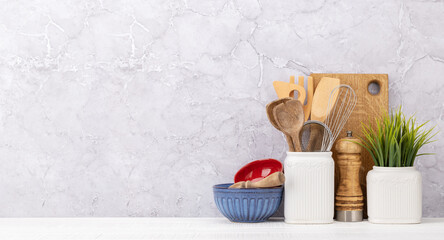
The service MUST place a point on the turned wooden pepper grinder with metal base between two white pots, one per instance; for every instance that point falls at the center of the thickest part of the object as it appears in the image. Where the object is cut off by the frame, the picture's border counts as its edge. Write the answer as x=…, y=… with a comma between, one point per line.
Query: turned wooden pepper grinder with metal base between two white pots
x=349, y=202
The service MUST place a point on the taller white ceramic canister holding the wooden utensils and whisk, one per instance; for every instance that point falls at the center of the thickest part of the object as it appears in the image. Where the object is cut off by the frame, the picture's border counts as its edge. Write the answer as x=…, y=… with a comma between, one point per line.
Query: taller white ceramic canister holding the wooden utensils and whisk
x=309, y=187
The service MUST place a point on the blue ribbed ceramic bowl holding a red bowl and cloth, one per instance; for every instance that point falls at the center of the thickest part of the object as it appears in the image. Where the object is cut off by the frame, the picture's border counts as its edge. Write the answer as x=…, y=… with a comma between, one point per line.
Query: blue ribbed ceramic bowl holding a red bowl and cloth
x=247, y=204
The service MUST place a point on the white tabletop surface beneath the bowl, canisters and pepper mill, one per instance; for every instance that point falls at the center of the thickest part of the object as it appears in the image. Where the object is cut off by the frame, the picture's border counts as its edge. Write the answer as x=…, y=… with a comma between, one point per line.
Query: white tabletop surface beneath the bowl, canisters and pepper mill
x=208, y=228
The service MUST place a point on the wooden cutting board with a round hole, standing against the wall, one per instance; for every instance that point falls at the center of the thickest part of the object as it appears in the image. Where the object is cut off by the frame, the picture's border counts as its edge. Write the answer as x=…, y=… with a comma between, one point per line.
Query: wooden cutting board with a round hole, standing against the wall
x=370, y=105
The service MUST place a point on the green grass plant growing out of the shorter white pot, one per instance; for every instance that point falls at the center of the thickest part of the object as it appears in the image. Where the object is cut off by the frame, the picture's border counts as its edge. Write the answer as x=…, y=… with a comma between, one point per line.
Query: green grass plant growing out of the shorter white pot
x=395, y=140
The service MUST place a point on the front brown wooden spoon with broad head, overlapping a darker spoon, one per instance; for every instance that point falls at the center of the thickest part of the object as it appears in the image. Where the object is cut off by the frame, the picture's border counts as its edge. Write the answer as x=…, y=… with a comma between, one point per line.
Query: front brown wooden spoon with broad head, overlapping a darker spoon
x=289, y=117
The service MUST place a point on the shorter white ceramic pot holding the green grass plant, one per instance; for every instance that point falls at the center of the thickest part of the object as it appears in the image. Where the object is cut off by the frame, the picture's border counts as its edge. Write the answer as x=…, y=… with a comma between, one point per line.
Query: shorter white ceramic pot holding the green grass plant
x=394, y=195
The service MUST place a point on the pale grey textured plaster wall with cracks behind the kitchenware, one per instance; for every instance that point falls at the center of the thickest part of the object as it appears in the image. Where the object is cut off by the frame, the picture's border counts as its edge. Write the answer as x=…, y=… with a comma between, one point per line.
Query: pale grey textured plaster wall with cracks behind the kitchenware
x=136, y=108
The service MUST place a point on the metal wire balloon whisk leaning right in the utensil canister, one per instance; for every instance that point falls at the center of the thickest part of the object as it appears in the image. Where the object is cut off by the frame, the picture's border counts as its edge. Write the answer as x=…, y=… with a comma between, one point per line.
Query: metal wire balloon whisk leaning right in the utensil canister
x=340, y=112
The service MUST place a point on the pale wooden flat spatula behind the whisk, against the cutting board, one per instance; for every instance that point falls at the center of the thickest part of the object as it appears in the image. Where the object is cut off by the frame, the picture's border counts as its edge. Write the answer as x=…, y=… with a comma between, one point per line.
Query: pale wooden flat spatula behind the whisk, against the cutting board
x=319, y=106
